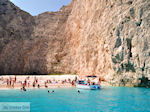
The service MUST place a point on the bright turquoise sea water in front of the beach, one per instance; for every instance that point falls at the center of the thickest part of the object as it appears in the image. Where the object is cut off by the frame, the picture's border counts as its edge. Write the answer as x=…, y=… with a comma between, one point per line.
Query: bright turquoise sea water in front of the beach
x=108, y=99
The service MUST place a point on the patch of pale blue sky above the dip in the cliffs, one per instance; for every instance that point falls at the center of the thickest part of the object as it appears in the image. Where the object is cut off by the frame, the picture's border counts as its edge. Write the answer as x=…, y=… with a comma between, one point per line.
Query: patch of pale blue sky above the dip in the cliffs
x=35, y=7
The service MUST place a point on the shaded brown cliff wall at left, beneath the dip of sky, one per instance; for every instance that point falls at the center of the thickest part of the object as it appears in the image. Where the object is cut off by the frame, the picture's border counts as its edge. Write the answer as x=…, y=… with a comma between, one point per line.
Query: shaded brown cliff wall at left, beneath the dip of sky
x=37, y=44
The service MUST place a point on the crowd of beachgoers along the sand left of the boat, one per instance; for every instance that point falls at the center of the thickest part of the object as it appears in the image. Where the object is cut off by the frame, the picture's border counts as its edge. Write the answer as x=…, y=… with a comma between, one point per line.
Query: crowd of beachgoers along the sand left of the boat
x=35, y=82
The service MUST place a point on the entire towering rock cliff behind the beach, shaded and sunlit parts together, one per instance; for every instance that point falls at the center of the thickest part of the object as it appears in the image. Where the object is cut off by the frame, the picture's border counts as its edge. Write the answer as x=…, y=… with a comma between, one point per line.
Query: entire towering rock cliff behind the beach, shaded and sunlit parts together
x=107, y=38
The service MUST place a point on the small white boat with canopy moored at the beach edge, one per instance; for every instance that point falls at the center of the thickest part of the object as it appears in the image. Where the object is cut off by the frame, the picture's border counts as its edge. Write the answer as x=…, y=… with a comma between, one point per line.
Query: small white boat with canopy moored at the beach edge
x=84, y=85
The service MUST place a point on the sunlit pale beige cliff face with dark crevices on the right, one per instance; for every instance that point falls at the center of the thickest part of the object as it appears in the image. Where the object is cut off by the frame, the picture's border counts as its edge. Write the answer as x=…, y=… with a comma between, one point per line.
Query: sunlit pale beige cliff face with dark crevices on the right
x=111, y=39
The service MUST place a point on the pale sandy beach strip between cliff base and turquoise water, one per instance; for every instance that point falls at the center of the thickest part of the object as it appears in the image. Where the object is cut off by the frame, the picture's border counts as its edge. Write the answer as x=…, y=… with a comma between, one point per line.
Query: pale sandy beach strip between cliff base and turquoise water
x=8, y=82
